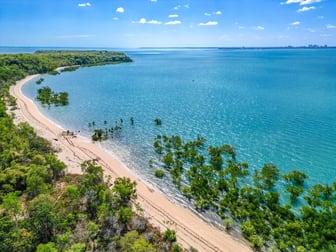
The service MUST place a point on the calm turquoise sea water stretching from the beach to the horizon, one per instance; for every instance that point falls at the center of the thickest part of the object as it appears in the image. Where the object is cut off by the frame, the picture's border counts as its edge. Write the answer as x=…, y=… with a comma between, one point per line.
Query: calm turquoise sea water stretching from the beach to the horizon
x=274, y=106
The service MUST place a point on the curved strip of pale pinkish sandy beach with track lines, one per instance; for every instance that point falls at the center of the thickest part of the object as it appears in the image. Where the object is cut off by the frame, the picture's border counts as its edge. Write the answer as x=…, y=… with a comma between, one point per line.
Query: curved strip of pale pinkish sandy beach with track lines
x=191, y=230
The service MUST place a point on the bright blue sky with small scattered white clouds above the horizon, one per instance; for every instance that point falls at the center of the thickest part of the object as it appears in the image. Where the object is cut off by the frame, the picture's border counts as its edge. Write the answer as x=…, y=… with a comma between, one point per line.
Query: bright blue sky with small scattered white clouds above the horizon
x=140, y=23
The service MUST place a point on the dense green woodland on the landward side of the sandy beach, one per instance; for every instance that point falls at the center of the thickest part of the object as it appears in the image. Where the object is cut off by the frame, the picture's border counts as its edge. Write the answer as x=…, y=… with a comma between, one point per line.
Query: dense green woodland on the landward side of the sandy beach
x=43, y=209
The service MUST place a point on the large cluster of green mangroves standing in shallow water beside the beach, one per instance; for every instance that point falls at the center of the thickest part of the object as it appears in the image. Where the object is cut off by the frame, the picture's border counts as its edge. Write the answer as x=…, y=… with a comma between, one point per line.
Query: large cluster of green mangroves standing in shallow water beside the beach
x=212, y=178
